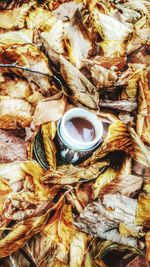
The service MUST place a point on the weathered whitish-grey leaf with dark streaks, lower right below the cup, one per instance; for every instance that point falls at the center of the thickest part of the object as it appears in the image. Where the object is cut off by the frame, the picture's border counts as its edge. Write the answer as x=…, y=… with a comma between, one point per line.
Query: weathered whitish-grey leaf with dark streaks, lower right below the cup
x=98, y=221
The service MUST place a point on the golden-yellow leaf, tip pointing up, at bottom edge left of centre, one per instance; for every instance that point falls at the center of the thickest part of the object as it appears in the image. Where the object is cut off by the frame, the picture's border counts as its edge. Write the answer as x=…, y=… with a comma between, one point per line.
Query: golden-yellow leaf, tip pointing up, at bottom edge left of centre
x=57, y=235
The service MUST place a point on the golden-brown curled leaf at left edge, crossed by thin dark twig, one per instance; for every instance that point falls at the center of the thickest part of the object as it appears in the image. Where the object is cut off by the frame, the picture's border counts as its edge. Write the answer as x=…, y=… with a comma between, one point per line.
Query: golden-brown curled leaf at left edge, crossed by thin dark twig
x=26, y=60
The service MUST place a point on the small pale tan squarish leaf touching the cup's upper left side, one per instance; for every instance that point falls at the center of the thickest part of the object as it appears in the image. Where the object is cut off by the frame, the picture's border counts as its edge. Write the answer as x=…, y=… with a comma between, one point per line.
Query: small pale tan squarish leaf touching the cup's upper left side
x=56, y=106
